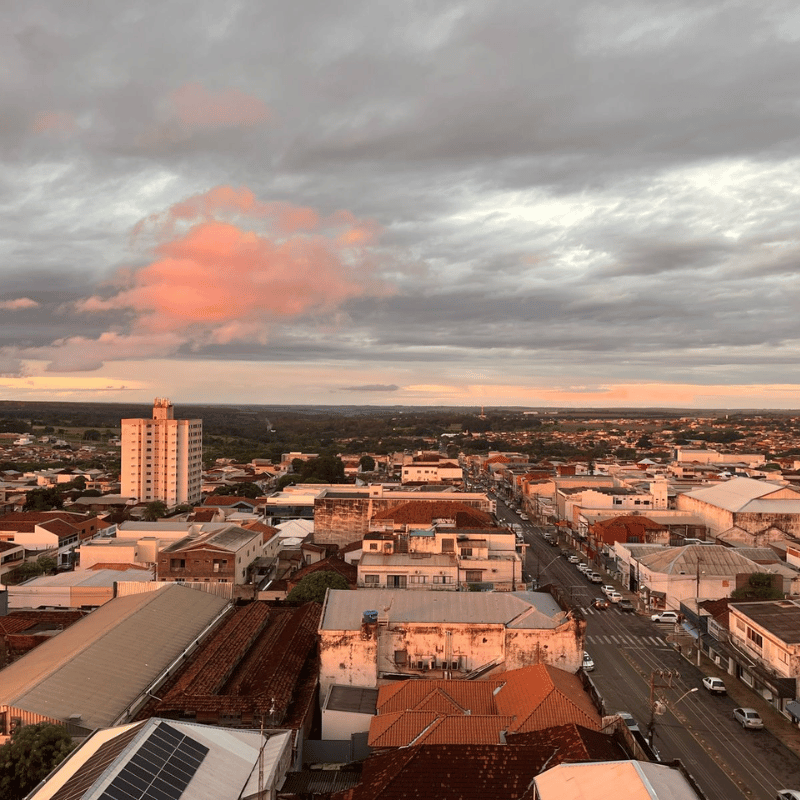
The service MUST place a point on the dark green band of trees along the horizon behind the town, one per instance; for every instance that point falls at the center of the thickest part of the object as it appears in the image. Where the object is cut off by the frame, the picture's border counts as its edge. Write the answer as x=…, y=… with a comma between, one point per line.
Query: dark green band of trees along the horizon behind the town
x=244, y=432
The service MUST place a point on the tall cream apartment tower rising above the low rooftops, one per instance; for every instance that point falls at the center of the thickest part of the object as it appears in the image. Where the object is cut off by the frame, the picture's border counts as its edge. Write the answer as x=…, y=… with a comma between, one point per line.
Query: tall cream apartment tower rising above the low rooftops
x=162, y=457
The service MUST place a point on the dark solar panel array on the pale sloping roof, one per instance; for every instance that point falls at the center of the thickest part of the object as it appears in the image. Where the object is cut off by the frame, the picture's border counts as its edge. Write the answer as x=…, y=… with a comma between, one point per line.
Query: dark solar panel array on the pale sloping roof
x=160, y=769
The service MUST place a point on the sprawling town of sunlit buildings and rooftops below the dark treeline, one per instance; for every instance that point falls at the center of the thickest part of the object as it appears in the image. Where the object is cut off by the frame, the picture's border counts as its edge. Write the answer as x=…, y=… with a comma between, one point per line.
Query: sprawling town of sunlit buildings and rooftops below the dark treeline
x=380, y=613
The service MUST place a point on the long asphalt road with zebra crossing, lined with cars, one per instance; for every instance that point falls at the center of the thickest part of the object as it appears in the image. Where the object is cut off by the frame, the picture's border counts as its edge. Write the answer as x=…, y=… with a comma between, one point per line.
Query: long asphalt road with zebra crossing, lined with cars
x=631, y=652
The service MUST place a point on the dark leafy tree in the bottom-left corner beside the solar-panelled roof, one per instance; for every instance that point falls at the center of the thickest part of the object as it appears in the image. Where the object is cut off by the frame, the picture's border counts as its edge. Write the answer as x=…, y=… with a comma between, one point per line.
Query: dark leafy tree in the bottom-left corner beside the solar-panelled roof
x=29, y=756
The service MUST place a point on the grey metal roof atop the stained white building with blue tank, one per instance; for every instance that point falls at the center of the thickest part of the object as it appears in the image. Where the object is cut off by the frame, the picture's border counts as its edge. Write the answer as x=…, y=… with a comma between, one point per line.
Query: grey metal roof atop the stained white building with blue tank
x=344, y=609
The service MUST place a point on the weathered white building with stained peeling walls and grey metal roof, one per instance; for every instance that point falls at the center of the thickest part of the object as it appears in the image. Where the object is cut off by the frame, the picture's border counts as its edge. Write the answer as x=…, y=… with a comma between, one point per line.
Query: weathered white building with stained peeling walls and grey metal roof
x=368, y=636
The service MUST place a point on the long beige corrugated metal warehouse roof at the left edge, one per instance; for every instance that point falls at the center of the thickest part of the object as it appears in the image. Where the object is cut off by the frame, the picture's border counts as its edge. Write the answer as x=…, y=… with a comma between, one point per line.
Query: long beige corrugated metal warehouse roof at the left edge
x=101, y=664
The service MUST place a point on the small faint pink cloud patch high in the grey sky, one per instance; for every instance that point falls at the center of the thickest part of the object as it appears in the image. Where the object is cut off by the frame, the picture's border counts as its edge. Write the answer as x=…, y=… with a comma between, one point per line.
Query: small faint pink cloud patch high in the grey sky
x=198, y=107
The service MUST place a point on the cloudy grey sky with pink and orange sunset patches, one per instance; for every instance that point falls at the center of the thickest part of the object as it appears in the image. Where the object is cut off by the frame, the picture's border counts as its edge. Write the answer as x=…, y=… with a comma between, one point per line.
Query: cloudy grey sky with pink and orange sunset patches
x=561, y=203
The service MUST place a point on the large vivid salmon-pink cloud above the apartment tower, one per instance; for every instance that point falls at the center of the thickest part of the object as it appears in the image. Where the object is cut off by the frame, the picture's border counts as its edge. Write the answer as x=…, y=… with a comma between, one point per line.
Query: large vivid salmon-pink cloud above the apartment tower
x=227, y=265
